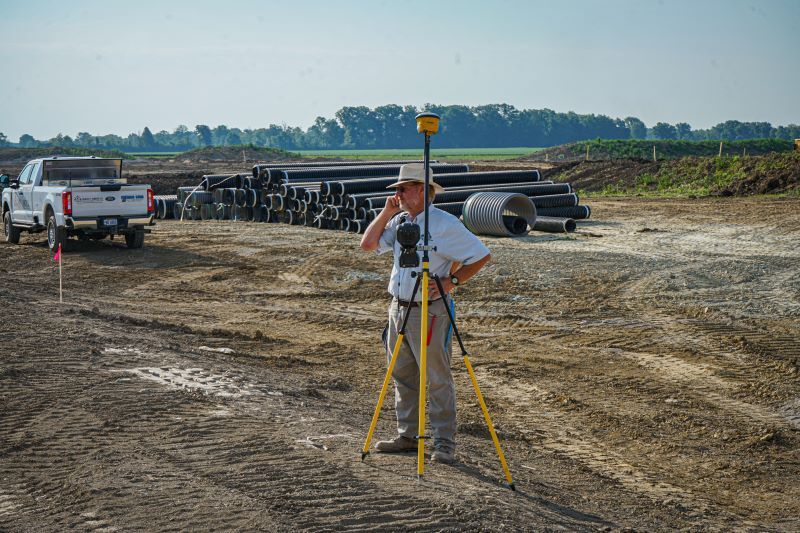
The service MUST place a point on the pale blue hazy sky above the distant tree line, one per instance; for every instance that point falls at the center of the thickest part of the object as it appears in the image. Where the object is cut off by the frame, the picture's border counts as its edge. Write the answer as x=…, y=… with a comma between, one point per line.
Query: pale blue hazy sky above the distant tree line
x=115, y=67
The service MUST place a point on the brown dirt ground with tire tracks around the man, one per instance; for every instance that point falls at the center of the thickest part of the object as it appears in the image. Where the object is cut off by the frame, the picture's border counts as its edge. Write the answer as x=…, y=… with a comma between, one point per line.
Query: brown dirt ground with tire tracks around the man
x=643, y=374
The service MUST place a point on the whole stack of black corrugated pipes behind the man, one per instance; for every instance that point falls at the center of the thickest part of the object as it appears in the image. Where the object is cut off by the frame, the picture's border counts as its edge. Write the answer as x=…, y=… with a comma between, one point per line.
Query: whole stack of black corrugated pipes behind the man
x=348, y=196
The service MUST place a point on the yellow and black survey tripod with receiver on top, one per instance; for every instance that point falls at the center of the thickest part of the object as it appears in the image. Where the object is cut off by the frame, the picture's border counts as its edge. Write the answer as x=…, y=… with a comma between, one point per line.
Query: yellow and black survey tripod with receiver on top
x=428, y=124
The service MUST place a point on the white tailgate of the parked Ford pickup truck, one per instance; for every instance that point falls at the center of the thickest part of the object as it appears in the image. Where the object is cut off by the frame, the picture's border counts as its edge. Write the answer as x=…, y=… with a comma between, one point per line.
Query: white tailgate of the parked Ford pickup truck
x=94, y=202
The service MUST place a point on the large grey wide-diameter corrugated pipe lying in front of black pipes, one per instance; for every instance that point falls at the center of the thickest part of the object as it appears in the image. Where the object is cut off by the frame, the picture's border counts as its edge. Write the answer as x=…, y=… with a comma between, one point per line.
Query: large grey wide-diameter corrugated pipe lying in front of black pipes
x=498, y=213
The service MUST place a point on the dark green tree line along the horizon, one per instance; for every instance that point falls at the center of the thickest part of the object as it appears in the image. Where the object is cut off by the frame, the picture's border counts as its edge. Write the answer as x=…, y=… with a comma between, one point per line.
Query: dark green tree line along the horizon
x=393, y=126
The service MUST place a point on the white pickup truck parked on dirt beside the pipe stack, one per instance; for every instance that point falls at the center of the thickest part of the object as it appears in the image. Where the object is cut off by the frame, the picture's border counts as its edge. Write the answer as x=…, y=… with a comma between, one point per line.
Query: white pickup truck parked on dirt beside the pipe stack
x=85, y=197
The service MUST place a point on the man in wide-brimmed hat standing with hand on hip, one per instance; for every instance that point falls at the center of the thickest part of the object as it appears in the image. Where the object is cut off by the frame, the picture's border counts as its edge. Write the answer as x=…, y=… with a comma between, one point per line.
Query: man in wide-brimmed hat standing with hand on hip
x=453, y=245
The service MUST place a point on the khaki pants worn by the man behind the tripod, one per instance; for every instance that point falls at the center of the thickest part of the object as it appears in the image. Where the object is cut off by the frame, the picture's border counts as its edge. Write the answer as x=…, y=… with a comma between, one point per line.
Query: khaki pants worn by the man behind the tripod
x=441, y=388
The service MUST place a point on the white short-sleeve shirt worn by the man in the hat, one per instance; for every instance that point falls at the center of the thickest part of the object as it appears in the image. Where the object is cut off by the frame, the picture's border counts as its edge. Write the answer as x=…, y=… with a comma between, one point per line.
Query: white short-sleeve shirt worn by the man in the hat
x=453, y=242
